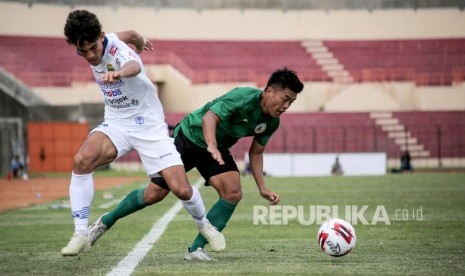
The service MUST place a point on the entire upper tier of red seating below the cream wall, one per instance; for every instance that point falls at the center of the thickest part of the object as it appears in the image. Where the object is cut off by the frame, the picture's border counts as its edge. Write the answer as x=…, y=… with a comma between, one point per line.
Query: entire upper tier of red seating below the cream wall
x=46, y=61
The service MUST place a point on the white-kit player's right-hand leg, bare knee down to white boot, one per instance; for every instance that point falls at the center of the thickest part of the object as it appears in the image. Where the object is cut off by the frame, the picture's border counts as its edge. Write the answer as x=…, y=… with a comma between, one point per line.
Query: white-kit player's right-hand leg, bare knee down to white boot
x=176, y=179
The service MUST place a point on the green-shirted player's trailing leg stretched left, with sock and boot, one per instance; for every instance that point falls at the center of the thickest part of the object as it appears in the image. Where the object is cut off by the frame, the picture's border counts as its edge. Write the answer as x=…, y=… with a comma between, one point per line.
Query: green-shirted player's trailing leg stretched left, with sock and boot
x=136, y=200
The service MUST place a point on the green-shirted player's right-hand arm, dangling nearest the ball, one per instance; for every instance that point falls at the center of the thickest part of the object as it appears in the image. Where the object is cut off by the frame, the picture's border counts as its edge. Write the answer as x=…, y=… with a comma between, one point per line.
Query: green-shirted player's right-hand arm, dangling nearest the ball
x=256, y=166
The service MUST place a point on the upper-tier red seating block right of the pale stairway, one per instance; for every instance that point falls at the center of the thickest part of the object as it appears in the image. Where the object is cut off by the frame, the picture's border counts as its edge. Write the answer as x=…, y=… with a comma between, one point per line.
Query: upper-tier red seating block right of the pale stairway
x=423, y=61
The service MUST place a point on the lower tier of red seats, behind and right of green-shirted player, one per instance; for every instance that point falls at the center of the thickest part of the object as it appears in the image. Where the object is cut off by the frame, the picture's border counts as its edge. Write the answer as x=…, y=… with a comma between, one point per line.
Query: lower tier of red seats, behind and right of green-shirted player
x=440, y=133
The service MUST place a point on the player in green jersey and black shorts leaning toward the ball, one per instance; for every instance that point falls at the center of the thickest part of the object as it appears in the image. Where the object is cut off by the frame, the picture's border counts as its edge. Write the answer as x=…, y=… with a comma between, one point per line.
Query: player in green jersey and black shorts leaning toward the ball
x=203, y=139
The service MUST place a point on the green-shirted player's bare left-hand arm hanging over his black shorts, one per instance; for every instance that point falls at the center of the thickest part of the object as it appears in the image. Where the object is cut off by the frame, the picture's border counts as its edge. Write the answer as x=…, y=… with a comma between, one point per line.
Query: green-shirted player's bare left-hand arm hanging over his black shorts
x=209, y=122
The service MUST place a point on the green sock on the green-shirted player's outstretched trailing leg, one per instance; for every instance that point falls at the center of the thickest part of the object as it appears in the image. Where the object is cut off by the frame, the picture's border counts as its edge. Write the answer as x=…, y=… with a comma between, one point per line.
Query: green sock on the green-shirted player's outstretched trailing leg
x=131, y=203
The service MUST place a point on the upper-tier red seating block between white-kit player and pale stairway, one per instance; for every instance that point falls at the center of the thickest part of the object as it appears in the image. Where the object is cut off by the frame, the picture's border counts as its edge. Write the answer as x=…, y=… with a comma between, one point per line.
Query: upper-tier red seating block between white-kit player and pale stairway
x=236, y=61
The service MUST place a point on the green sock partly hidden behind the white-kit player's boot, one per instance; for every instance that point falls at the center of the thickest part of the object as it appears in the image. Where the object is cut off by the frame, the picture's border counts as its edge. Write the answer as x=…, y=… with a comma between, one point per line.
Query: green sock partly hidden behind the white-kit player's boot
x=219, y=215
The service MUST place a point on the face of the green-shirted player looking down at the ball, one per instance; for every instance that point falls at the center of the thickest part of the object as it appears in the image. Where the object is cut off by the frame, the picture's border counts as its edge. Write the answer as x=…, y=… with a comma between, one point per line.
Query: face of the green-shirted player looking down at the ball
x=277, y=101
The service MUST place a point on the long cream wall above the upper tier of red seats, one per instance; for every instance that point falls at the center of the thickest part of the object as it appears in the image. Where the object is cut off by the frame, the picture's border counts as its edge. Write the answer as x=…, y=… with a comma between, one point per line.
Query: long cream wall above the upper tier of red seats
x=237, y=24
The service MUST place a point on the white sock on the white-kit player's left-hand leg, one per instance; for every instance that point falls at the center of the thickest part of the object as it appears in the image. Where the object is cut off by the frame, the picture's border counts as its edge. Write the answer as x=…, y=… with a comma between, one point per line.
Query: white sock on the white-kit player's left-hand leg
x=81, y=193
